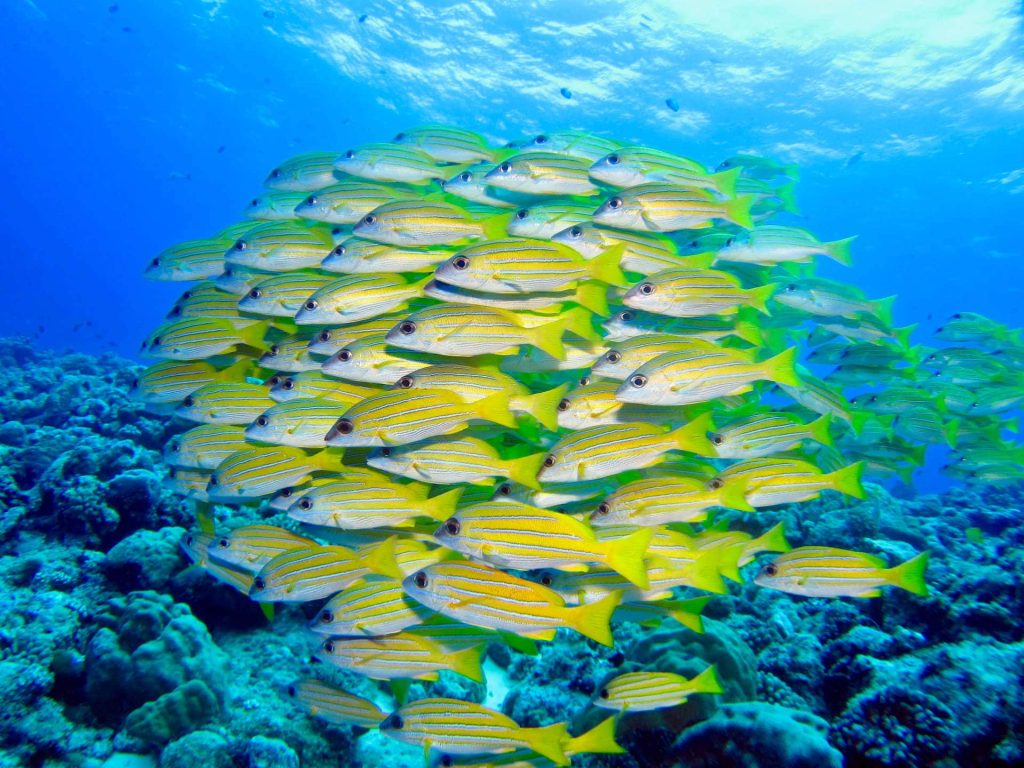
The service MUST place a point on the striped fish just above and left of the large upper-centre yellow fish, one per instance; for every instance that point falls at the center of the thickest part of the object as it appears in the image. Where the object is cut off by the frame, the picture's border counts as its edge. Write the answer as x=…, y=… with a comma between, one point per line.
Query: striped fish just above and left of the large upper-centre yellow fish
x=426, y=224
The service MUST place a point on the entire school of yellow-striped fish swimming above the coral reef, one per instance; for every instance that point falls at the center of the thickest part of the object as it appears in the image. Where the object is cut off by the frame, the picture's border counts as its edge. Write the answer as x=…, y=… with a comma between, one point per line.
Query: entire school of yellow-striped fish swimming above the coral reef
x=505, y=392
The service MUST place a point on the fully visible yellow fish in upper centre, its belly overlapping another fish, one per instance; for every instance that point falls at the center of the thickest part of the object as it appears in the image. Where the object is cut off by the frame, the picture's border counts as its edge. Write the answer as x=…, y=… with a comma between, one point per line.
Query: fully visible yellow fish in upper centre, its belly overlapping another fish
x=518, y=267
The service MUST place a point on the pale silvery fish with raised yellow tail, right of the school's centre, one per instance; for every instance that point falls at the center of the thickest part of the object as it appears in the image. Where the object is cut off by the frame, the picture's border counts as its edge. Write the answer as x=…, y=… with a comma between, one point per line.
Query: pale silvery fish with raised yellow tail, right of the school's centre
x=690, y=377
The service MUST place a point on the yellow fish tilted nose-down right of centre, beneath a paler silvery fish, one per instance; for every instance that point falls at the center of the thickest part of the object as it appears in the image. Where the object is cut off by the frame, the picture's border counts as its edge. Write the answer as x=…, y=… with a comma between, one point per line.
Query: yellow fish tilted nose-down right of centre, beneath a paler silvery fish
x=604, y=451
